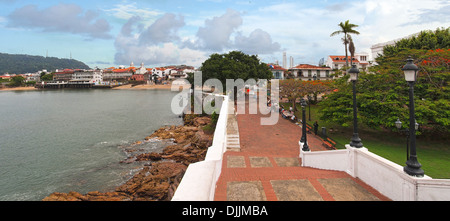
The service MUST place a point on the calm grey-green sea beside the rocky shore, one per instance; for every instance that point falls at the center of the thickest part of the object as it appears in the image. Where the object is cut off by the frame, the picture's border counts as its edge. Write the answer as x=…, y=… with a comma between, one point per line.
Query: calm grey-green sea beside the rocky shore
x=73, y=140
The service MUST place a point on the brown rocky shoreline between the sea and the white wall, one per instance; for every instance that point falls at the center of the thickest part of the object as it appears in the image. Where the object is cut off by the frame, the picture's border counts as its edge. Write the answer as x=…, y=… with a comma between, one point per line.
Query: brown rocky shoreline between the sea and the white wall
x=160, y=177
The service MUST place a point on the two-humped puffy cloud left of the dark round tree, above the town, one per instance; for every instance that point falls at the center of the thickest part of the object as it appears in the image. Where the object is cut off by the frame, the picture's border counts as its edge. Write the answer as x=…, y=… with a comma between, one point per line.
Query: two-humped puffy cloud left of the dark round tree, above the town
x=156, y=45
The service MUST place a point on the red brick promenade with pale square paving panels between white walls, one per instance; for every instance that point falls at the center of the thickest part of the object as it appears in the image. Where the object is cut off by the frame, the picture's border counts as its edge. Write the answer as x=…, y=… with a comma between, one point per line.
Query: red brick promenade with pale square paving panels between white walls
x=266, y=167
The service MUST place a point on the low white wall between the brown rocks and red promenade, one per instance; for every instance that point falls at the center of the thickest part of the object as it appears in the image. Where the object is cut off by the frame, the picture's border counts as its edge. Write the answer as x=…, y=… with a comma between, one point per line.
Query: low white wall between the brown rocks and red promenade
x=199, y=181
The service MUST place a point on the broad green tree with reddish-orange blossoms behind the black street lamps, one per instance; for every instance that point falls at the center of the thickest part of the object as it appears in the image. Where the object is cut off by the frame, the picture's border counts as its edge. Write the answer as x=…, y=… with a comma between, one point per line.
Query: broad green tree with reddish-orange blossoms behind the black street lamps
x=383, y=96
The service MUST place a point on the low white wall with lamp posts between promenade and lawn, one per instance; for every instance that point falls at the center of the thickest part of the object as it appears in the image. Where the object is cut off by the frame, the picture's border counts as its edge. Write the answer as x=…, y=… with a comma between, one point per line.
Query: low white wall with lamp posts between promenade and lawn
x=385, y=176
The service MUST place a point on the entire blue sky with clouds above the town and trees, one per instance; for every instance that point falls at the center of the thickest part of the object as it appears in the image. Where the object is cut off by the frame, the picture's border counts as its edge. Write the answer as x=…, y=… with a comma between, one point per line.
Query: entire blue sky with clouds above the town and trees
x=106, y=33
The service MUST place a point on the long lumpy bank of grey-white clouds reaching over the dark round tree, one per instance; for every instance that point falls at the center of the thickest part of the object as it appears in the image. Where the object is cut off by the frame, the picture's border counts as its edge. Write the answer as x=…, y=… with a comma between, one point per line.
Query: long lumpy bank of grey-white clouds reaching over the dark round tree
x=160, y=43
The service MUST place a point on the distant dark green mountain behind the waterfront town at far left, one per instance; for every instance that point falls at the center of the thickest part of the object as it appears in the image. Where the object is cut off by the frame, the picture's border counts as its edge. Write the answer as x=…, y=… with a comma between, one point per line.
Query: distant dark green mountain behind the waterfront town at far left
x=21, y=64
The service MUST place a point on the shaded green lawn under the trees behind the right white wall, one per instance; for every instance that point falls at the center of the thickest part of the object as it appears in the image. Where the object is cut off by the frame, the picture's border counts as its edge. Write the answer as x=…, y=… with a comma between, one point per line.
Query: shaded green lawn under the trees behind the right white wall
x=432, y=153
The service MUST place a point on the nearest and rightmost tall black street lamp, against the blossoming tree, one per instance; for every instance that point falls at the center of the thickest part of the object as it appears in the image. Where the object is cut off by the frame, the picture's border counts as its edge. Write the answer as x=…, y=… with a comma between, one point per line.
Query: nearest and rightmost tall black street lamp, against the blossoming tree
x=412, y=164
